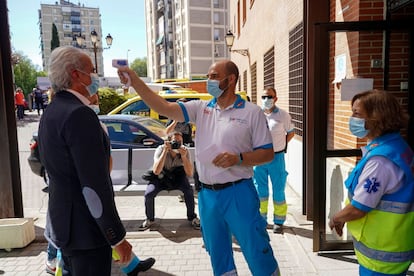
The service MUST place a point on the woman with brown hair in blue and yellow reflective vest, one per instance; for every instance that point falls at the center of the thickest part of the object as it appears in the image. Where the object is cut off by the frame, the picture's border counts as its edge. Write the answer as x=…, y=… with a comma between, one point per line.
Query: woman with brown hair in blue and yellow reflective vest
x=379, y=212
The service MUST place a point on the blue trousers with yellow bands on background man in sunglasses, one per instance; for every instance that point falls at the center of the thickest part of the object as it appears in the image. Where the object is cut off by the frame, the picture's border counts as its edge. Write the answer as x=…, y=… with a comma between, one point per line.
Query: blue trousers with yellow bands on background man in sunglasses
x=278, y=175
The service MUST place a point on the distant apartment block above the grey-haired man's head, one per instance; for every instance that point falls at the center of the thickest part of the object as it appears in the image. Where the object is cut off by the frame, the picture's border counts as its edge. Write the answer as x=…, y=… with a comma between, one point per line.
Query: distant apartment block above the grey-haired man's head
x=71, y=21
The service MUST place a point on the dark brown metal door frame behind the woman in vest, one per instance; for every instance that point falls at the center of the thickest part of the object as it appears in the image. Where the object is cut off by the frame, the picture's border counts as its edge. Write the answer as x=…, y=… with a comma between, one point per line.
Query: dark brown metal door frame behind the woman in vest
x=317, y=117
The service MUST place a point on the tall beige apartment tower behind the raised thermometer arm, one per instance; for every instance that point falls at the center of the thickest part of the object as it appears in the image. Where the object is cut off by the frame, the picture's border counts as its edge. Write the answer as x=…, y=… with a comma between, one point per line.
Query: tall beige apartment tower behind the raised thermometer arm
x=185, y=37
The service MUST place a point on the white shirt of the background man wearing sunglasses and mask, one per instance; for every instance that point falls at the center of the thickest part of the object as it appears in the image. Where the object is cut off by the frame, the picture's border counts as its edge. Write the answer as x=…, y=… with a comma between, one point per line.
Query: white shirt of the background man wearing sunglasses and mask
x=280, y=123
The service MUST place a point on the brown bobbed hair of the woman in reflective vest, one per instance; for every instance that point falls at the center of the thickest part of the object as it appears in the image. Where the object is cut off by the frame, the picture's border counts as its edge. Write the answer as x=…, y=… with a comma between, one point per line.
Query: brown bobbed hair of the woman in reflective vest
x=384, y=112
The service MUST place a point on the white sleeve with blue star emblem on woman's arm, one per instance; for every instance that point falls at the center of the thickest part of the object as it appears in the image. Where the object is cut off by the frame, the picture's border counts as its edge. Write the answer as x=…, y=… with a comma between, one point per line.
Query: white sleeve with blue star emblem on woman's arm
x=379, y=176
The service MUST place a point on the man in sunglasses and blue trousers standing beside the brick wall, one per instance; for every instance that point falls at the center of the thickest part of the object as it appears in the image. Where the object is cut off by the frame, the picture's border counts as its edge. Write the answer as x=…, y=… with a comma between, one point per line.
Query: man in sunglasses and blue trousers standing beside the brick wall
x=281, y=128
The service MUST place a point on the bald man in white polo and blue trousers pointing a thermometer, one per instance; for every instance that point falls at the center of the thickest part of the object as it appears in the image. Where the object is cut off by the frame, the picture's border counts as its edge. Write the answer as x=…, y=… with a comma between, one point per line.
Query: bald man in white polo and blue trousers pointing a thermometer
x=232, y=137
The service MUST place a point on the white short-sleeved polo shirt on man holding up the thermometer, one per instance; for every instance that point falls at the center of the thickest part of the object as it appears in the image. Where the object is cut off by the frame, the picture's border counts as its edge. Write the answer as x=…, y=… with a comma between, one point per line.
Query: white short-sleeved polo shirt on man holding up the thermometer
x=241, y=127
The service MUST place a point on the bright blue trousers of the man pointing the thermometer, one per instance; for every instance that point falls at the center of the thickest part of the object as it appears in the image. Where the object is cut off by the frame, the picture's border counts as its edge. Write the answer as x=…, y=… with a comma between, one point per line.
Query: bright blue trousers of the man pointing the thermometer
x=235, y=211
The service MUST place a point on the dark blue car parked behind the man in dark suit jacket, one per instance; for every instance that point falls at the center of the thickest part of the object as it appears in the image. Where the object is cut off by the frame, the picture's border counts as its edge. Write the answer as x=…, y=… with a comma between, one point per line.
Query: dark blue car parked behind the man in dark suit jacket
x=125, y=132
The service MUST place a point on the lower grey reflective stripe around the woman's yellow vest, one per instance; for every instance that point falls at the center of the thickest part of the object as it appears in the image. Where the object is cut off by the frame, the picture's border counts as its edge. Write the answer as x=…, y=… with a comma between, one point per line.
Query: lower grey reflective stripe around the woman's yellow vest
x=396, y=257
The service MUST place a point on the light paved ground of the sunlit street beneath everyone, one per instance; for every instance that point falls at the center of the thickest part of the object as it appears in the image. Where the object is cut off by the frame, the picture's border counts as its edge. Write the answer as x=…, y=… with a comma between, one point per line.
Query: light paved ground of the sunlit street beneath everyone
x=177, y=248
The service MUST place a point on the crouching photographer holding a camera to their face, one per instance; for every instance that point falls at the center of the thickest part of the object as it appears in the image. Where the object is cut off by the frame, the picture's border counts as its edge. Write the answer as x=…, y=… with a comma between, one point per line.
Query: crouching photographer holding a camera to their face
x=172, y=165
